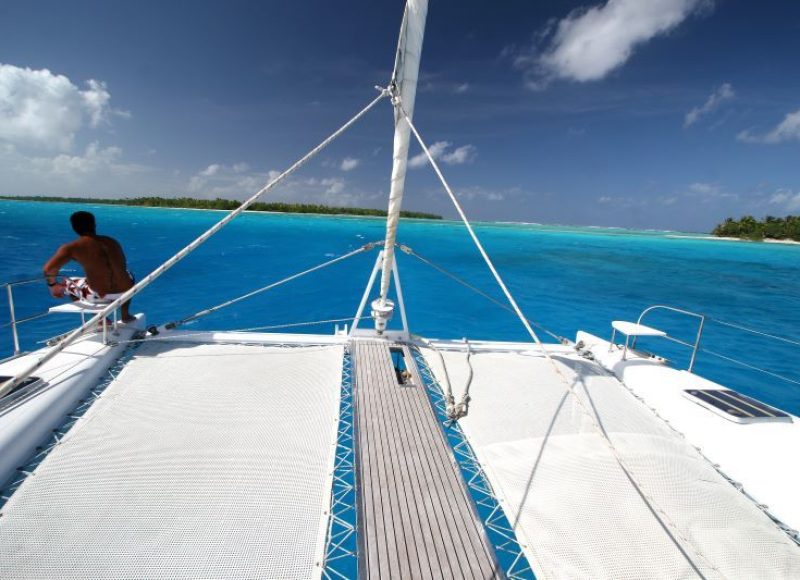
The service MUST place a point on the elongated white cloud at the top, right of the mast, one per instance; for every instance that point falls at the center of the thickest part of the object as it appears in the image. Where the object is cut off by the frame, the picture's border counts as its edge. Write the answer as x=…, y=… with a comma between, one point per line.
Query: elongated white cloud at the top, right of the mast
x=592, y=42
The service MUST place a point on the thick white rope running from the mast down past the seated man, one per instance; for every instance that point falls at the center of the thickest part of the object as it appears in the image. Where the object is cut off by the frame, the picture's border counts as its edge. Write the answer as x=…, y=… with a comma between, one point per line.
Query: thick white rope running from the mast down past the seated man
x=147, y=280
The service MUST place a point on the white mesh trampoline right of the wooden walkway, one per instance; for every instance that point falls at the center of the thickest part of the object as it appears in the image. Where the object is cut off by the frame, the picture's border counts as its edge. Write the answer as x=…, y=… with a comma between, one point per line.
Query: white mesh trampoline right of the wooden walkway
x=575, y=511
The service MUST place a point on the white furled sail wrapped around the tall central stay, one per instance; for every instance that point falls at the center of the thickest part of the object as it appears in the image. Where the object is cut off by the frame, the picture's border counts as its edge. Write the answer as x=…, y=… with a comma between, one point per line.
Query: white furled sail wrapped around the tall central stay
x=406, y=72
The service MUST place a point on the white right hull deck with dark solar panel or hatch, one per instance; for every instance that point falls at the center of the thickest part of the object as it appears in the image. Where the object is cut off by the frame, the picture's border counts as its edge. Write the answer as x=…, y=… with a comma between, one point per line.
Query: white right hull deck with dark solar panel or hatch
x=762, y=457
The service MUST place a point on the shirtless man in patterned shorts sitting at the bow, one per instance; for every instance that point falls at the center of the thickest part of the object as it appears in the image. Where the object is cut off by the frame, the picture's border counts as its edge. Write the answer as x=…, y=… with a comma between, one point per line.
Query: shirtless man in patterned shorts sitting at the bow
x=102, y=260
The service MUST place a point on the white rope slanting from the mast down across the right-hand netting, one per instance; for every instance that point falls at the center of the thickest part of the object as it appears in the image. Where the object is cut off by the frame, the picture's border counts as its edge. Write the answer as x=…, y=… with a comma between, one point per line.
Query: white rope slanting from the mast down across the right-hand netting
x=592, y=417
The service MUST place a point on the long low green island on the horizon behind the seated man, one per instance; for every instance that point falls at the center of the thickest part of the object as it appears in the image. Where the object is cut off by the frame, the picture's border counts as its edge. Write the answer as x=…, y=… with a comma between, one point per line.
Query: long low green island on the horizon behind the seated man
x=228, y=204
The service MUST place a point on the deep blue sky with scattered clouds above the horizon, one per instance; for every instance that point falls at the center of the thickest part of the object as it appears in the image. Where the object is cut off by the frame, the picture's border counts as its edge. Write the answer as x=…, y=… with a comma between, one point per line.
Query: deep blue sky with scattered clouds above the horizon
x=654, y=114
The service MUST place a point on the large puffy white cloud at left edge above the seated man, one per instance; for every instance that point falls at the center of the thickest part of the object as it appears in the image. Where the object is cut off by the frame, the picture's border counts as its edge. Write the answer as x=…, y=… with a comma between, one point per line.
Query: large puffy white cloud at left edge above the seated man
x=45, y=110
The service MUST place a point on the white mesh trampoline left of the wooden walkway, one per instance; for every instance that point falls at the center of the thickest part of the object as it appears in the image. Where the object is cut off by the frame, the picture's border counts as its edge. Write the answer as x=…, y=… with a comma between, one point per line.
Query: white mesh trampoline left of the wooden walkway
x=198, y=461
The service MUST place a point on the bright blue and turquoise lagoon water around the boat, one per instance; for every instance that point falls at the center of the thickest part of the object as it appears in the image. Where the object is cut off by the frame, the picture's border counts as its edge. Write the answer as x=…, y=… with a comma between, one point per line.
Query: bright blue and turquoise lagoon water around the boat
x=564, y=278
